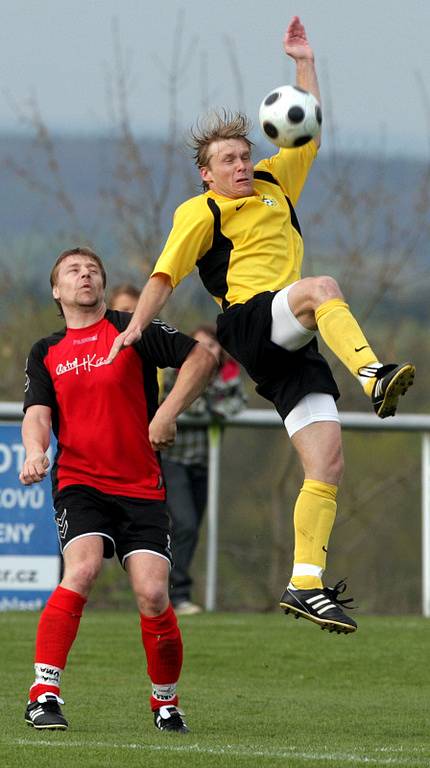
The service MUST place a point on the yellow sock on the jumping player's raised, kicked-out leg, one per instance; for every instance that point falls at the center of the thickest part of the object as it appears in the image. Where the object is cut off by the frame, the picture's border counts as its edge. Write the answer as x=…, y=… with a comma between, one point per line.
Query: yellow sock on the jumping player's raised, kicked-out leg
x=341, y=332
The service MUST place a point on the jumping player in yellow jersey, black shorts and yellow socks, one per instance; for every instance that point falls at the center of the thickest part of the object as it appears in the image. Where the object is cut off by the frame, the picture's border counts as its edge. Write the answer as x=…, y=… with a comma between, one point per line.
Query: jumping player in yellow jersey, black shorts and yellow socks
x=243, y=235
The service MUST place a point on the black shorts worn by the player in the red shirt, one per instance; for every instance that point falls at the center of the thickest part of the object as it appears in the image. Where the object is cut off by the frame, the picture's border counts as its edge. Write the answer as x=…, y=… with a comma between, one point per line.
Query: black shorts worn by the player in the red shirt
x=126, y=524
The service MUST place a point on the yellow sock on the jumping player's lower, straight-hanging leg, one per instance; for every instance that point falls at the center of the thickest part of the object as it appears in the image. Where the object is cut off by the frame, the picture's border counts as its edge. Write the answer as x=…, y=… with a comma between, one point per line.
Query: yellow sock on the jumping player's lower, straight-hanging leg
x=314, y=515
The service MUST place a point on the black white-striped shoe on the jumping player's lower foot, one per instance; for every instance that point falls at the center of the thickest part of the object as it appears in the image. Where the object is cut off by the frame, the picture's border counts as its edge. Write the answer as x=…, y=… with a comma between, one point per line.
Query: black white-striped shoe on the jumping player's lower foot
x=322, y=606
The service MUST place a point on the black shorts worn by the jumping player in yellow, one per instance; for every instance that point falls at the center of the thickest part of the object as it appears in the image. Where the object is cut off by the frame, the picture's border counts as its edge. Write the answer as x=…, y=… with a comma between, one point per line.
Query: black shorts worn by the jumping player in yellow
x=282, y=377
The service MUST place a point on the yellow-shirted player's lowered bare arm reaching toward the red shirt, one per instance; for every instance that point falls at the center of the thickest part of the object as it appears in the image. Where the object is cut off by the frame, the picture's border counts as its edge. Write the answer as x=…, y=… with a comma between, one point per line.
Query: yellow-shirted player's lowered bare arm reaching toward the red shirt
x=152, y=299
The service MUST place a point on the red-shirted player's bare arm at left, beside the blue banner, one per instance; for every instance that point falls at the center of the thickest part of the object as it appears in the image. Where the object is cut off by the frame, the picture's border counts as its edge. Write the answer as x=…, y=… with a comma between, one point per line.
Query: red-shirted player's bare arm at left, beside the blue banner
x=36, y=433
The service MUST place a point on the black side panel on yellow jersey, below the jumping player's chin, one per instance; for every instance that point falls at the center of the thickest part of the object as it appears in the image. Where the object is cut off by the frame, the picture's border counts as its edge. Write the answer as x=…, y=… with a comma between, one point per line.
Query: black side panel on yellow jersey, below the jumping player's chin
x=213, y=265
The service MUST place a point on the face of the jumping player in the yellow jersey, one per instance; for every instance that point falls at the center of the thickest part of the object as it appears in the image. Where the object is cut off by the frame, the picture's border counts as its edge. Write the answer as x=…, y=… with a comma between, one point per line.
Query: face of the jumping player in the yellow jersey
x=229, y=171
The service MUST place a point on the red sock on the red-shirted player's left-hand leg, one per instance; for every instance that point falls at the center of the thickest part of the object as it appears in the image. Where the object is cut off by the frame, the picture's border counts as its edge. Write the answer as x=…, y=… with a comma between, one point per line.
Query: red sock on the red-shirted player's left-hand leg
x=57, y=629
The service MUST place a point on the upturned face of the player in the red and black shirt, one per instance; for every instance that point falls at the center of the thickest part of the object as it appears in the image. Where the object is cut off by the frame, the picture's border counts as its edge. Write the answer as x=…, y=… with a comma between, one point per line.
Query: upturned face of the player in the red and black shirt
x=79, y=283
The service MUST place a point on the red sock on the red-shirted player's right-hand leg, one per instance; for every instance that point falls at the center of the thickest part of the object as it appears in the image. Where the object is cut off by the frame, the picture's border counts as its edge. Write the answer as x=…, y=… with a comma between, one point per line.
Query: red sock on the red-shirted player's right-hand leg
x=162, y=641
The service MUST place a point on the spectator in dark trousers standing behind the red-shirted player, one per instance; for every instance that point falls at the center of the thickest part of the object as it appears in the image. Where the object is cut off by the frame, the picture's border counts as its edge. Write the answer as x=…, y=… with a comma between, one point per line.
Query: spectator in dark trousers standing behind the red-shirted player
x=185, y=465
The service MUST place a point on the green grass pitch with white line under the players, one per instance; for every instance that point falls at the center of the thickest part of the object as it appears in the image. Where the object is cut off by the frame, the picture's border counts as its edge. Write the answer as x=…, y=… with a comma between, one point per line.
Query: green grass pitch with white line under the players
x=257, y=689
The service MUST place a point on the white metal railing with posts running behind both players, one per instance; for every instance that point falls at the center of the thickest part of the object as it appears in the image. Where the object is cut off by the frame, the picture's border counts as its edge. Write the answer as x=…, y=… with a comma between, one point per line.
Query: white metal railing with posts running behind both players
x=256, y=418
